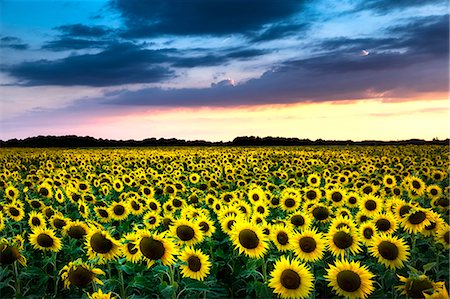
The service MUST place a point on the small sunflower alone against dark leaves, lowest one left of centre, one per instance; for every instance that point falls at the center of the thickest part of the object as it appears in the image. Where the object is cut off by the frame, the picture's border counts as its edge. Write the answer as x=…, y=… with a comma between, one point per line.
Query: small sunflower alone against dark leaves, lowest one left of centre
x=197, y=264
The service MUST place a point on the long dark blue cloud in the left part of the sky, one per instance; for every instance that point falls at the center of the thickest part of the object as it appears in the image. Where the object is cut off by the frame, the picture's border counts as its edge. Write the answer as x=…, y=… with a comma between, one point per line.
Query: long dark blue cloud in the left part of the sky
x=121, y=63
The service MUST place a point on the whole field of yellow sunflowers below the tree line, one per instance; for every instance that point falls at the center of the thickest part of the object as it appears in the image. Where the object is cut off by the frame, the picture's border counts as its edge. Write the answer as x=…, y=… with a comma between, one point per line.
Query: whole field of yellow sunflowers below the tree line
x=226, y=222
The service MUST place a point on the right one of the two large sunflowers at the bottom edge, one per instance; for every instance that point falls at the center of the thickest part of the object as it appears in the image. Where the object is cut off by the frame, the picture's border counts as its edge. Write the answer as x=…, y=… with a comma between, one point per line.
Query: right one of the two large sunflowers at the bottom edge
x=350, y=279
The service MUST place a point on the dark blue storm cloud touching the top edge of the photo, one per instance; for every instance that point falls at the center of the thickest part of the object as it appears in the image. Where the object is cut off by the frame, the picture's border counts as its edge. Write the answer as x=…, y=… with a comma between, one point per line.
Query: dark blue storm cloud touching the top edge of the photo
x=201, y=17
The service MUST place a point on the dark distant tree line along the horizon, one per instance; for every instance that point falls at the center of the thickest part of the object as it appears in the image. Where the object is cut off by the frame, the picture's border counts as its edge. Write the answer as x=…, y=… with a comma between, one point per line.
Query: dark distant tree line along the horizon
x=72, y=141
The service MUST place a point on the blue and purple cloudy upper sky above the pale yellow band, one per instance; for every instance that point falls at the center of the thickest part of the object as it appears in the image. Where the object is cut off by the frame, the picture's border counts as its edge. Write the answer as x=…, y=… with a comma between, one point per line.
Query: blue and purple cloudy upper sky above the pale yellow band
x=223, y=53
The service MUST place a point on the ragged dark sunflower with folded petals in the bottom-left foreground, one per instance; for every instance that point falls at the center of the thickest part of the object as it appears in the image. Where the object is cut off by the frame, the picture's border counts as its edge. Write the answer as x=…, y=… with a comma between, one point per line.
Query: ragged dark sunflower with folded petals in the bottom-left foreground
x=79, y=274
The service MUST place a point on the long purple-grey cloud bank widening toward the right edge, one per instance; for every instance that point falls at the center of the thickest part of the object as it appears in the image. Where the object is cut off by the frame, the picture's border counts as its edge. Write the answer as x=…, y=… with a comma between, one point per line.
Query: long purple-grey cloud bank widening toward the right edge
x=339, y=74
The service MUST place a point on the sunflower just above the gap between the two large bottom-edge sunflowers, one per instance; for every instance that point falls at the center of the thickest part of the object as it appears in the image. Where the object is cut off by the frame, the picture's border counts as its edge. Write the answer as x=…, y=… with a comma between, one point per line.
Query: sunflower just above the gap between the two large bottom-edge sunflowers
x=309, y=245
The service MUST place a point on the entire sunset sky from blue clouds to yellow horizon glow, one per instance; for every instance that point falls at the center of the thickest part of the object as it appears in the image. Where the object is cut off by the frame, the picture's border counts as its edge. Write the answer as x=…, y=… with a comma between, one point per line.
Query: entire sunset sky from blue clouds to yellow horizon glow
x=217, y=69
